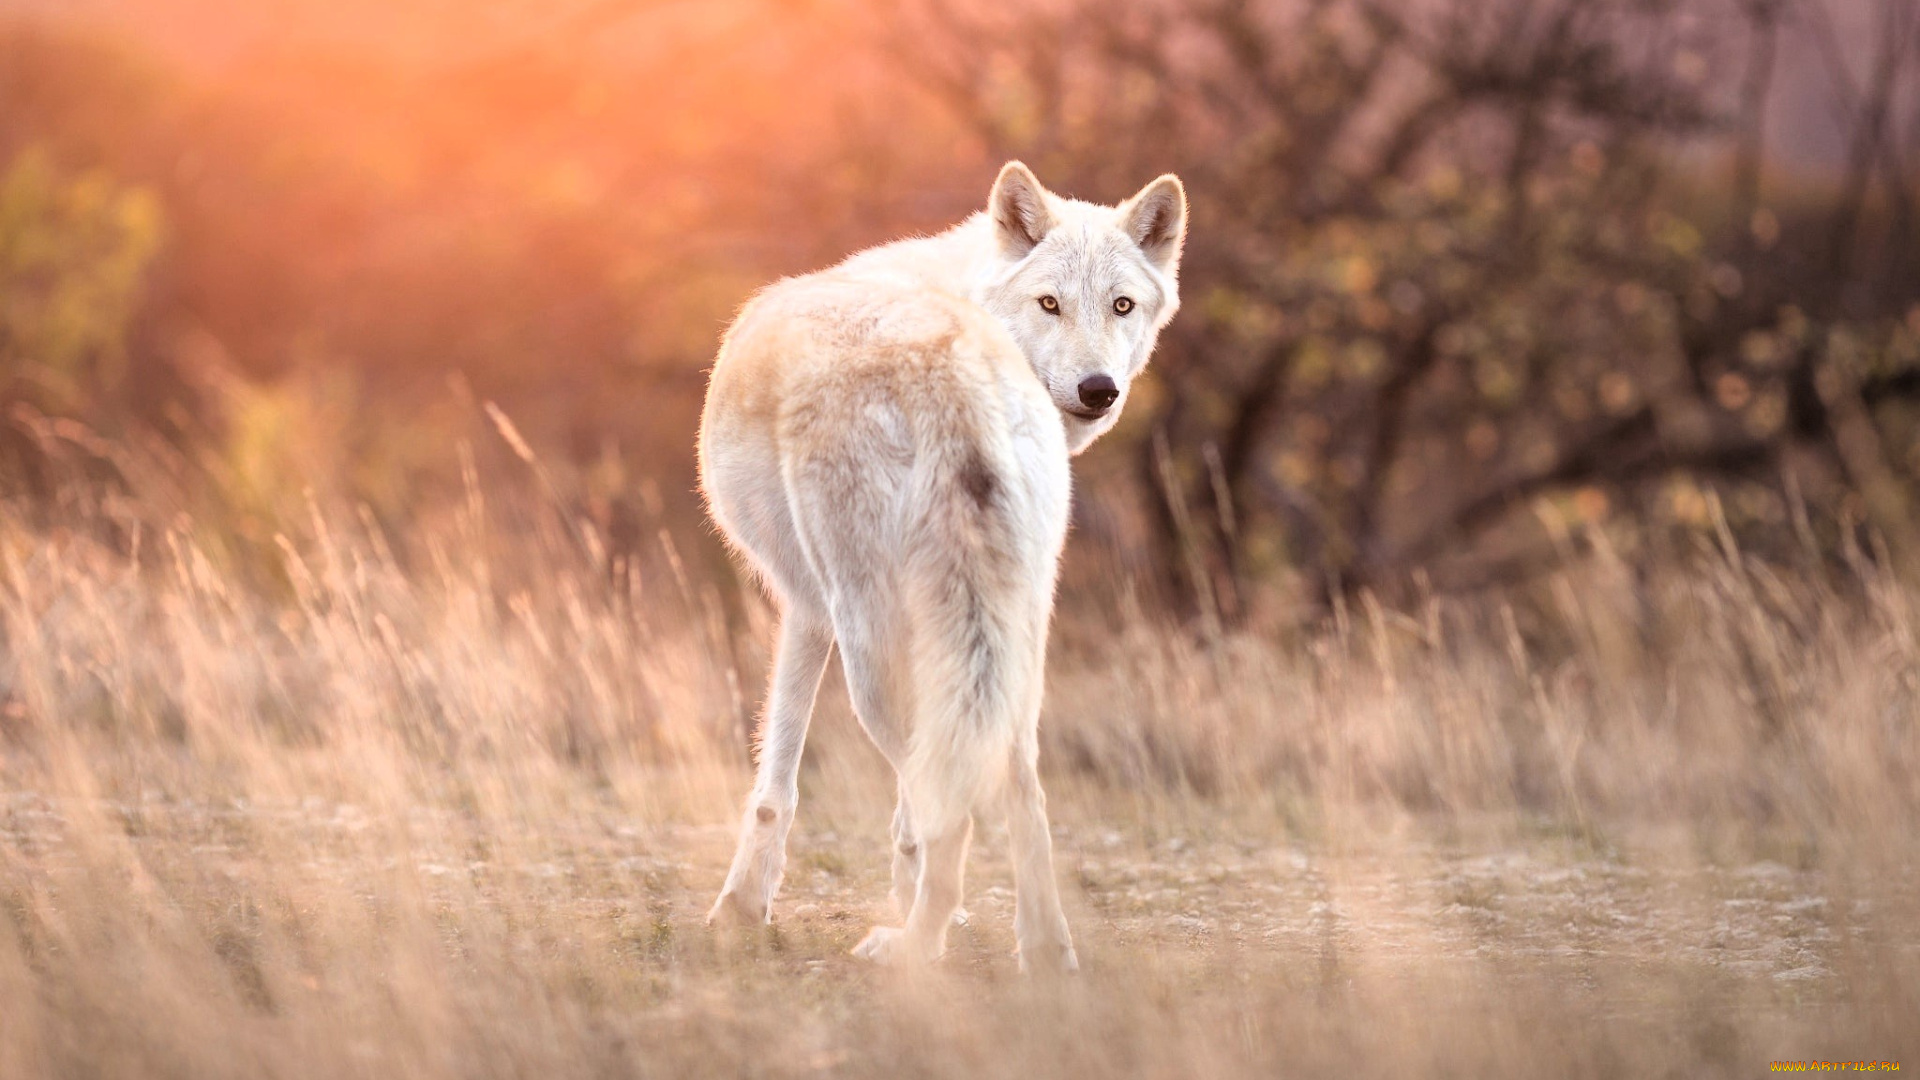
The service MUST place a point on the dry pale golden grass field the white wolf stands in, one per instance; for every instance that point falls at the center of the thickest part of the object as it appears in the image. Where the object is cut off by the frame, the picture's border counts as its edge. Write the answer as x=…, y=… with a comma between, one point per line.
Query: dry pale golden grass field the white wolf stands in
x=446, y=806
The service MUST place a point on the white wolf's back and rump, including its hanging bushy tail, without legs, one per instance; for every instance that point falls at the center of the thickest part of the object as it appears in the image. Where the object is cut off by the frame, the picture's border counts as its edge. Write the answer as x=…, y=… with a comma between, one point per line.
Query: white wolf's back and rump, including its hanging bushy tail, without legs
x=921, y=460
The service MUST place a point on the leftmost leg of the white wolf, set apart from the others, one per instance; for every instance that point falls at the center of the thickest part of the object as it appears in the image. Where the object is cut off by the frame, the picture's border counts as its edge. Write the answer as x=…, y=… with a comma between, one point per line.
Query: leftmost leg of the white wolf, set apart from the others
x=761, y=858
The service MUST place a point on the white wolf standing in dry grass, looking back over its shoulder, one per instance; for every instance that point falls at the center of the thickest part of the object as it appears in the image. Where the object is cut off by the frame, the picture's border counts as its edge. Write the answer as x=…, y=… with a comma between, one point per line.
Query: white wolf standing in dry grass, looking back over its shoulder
x=888, y=447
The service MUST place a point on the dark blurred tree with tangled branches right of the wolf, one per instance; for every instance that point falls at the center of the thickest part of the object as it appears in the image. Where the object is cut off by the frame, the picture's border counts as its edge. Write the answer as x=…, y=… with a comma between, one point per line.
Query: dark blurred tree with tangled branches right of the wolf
x=1454, y=258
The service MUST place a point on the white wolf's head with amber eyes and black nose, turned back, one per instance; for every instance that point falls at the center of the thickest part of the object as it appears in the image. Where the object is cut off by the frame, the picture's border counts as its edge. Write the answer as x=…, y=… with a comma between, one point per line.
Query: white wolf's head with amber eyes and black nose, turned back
x=1086, y=289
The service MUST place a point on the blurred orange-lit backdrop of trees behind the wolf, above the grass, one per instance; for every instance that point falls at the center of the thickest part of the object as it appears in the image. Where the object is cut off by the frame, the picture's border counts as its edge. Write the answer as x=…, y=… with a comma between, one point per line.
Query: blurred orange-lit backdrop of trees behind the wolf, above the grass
x=1464, y=280
